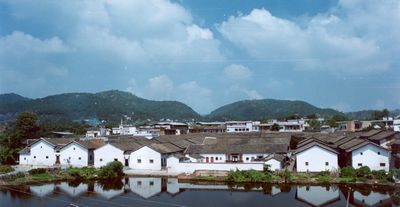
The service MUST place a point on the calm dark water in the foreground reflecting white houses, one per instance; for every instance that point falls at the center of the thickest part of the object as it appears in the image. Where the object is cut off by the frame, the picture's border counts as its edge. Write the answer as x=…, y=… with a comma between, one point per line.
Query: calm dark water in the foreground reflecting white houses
x=140, y=191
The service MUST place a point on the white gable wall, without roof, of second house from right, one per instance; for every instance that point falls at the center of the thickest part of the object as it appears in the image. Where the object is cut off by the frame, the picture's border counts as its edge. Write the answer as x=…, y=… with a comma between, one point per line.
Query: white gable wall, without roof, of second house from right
x=316, y=157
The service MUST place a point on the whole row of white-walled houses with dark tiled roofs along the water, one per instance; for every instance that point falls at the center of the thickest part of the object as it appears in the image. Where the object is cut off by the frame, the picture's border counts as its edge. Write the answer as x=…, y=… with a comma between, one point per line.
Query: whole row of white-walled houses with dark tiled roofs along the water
x=188, y=153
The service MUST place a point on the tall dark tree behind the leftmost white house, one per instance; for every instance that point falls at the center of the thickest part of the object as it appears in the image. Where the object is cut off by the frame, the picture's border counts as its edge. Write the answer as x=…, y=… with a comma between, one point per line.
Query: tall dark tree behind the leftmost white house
x=26, y=127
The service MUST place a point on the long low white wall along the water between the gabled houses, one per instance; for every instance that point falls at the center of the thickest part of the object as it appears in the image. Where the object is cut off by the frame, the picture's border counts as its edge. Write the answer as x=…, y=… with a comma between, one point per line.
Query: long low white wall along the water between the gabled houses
x=173, y=165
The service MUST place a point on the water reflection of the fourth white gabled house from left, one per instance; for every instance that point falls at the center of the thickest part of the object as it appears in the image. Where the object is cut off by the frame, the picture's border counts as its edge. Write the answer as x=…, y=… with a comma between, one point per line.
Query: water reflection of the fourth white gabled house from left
x=145, y=187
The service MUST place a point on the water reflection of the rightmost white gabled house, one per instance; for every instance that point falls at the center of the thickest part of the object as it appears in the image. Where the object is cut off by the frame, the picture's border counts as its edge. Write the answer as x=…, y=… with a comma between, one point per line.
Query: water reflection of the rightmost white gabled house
x=373, y=199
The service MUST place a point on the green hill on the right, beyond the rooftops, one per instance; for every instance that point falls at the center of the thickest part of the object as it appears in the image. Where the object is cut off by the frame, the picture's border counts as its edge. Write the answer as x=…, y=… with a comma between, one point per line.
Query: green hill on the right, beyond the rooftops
x=257, y=109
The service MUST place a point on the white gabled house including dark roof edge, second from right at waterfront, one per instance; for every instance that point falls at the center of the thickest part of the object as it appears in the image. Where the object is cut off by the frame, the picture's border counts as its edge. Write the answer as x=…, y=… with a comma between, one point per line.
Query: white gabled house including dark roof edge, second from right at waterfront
x=316, y=157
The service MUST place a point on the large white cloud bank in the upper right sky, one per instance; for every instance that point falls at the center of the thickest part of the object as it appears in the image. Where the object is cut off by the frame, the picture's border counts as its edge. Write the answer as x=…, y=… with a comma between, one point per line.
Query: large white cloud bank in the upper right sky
x=335, y=41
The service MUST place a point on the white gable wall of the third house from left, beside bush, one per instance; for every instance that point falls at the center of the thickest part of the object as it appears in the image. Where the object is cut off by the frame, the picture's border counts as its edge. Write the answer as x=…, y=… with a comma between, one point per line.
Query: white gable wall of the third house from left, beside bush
x=106, y=154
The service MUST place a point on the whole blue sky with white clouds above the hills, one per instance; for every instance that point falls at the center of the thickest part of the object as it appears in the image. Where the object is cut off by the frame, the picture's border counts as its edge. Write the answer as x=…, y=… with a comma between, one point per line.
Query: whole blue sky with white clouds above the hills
x=341, y=54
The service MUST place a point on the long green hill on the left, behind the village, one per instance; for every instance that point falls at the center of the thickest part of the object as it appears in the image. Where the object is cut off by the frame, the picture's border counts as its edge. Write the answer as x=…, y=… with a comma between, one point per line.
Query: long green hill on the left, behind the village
x=108, y=105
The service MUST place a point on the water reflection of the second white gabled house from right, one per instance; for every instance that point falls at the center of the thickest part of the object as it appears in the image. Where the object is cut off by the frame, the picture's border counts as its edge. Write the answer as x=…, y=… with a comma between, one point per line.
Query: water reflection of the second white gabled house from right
x=317, y=195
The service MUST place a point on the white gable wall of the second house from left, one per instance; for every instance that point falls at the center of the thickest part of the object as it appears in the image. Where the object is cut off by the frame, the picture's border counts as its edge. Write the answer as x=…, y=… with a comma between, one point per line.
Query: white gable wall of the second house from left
x=74, y=155
